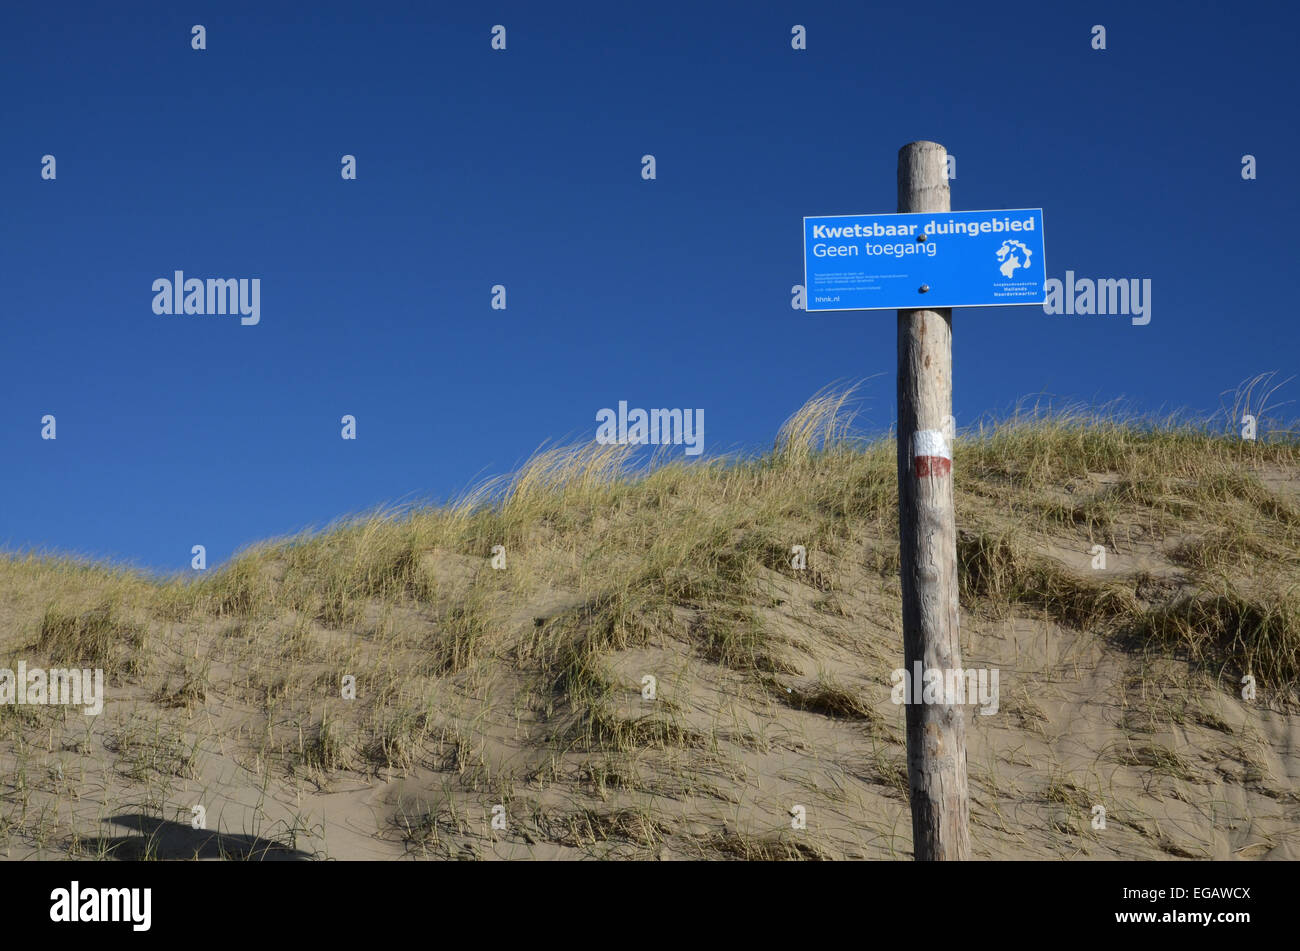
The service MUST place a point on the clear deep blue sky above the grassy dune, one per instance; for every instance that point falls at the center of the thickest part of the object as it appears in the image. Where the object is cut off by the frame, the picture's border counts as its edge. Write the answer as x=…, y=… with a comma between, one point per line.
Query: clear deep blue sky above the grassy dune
x=523, y=168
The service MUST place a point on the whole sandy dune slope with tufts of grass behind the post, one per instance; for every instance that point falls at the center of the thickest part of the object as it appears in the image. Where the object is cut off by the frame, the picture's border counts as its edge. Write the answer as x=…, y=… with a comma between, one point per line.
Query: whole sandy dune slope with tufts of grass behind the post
x=522, y=688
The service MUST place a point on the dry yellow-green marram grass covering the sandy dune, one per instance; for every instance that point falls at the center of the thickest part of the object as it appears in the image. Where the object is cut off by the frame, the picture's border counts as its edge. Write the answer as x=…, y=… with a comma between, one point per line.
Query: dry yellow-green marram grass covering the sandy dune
x=510, y=680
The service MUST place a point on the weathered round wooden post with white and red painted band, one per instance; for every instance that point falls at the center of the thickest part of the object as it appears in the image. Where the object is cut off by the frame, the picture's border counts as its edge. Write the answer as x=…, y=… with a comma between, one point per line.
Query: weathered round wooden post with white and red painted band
x=928, y=535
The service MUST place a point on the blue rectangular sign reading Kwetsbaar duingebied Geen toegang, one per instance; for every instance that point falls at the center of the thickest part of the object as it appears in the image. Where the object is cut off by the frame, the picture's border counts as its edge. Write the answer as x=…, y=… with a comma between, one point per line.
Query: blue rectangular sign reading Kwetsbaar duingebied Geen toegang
x=903, y=262
